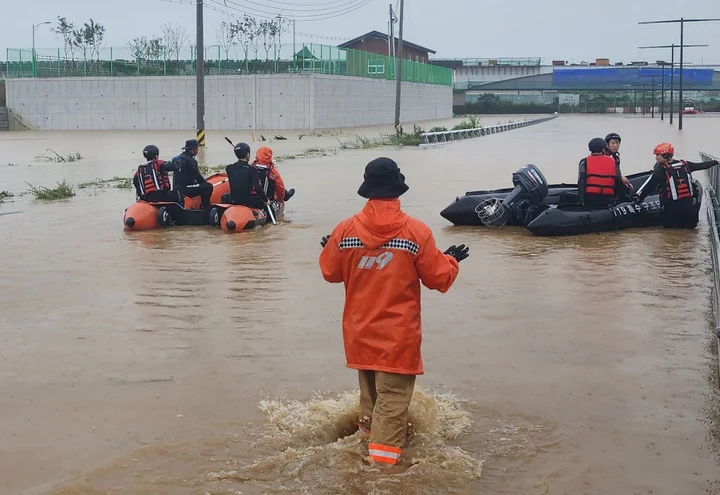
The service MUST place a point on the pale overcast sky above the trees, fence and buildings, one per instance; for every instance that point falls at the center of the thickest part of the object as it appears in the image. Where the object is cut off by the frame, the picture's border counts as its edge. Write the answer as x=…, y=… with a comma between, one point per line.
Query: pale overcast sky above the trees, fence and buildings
x=572, y=30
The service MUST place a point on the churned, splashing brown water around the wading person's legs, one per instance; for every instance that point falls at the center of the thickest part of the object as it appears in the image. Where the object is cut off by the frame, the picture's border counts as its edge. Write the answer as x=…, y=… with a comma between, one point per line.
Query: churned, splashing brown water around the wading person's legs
x=314, y=447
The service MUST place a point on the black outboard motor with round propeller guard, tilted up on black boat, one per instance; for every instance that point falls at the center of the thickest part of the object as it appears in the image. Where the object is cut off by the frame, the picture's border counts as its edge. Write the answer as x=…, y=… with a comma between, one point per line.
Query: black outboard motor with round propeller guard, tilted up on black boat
x=522, y=205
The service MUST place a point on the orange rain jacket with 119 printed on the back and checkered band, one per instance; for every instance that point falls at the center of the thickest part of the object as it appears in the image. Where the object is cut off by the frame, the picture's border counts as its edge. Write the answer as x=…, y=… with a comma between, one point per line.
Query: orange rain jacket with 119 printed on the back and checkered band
x=382, y=255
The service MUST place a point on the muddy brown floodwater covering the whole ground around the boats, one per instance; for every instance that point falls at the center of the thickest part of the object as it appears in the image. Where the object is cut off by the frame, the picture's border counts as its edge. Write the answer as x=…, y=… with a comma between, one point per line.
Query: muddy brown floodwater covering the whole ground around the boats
x=192, y=361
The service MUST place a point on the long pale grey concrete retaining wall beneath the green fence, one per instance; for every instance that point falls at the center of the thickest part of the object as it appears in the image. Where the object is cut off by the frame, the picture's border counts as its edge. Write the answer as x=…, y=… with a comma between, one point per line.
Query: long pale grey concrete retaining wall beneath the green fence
x=262, y=102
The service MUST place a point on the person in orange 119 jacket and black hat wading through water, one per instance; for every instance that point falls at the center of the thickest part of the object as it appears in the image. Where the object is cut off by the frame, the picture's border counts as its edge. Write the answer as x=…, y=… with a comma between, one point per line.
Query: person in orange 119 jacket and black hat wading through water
x=382, y=255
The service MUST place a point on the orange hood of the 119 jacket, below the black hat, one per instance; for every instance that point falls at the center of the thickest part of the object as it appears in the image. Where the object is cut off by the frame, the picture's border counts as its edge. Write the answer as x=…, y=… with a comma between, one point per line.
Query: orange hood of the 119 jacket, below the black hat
x=380, y=221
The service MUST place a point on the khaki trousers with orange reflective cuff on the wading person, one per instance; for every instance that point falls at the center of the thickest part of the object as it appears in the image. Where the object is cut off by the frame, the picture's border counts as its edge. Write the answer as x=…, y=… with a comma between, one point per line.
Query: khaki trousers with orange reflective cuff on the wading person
x=384, y=402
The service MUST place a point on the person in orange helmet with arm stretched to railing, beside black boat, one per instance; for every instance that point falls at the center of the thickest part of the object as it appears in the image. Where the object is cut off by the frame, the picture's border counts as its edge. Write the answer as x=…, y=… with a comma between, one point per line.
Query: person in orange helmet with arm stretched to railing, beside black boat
x=677, y=192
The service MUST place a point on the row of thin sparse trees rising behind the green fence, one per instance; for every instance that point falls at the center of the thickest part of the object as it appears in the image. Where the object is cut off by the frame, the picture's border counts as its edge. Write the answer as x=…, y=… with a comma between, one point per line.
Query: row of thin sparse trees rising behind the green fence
x=247, y=33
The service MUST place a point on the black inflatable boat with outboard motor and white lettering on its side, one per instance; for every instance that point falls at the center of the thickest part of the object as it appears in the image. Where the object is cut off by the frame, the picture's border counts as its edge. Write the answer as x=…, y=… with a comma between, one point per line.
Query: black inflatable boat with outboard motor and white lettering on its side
x=554, y=210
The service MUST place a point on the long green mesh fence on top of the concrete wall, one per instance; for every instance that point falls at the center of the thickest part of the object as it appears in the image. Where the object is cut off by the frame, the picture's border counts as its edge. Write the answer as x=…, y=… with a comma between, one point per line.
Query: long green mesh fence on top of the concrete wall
x=286, y=58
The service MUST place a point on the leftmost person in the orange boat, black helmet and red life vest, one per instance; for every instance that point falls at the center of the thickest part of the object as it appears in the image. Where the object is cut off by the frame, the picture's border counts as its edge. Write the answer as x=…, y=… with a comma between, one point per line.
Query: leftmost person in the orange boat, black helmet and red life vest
x=151, y=179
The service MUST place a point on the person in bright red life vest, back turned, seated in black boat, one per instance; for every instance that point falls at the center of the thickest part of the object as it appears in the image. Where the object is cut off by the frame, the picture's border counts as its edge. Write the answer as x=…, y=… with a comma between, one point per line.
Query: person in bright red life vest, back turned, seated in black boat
x=599, y=180
